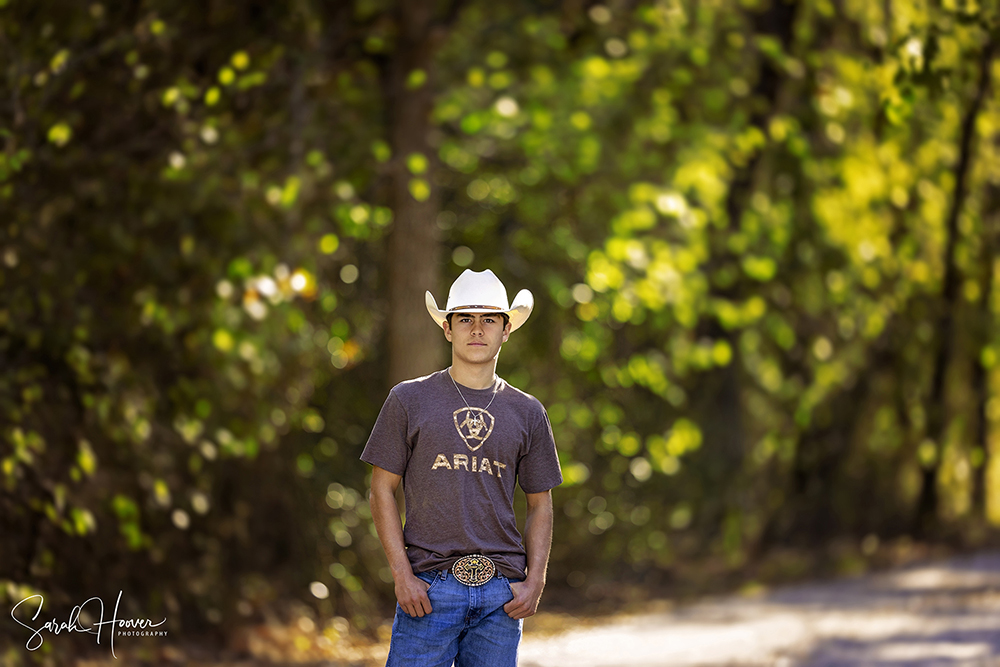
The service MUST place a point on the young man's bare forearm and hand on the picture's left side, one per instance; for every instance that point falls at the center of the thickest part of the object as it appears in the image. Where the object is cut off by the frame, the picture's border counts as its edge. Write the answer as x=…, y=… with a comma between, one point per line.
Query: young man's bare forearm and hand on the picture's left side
x=411, y=592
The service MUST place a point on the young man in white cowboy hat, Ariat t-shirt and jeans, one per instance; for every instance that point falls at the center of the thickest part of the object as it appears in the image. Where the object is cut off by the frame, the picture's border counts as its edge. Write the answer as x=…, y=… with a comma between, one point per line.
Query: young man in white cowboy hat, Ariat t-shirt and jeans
x=459, y=440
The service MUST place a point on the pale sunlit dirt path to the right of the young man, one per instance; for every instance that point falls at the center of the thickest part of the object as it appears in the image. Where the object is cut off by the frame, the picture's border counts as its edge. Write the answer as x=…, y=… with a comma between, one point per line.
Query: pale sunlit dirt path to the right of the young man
x=941, y=615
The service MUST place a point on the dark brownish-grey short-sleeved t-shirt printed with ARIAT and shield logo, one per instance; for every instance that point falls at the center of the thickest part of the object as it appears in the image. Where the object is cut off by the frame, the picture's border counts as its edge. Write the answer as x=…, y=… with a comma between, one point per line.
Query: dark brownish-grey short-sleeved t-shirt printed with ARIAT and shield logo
x=459, y=467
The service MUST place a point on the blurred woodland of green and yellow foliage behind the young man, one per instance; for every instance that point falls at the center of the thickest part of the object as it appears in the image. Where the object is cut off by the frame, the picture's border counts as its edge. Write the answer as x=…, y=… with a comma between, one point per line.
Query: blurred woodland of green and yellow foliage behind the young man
x=762, y=237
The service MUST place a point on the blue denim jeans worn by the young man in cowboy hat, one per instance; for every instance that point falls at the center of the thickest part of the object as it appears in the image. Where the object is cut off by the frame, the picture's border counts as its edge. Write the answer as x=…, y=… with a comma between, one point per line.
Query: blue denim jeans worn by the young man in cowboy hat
x=467, y=625
